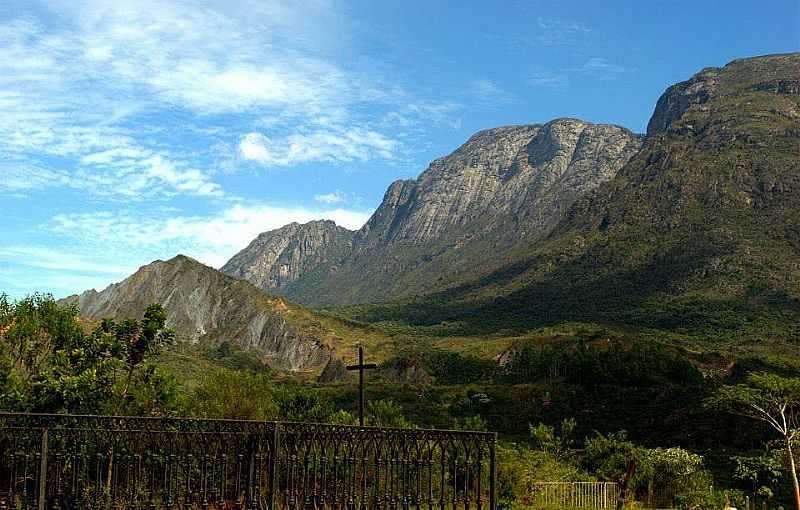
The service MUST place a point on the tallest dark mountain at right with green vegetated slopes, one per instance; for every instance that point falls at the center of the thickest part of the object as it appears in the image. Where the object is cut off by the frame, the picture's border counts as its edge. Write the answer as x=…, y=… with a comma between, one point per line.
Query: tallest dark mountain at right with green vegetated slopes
x=698, y=233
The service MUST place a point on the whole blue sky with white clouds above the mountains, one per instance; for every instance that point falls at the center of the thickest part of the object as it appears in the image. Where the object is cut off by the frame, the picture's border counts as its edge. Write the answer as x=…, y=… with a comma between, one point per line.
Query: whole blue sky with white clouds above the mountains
x=134, y=132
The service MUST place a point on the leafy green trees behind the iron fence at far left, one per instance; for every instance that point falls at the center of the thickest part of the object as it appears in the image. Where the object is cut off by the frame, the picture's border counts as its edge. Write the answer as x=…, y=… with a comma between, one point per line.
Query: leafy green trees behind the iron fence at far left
x=54, y=366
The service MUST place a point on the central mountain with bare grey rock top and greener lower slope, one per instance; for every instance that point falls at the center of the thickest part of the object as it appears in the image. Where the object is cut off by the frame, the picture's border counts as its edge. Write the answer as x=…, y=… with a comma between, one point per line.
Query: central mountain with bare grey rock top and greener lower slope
x=471, y=211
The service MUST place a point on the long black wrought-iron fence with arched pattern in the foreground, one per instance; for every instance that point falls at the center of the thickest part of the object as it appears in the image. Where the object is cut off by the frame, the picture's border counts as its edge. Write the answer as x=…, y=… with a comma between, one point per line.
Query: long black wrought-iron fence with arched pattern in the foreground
x=94, y=462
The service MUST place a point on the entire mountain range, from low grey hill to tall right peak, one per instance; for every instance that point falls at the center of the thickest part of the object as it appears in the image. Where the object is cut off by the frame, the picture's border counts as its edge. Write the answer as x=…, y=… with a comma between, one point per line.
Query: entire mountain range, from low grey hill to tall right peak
x=692, y=229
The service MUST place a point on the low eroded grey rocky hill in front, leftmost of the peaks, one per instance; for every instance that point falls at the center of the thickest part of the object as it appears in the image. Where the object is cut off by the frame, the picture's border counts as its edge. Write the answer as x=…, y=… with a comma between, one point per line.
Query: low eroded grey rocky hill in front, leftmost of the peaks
x=204, y=305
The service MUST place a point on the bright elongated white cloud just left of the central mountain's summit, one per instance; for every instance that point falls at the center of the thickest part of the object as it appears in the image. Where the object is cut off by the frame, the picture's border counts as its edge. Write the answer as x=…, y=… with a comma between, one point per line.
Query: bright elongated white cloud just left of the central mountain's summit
x=338, y=145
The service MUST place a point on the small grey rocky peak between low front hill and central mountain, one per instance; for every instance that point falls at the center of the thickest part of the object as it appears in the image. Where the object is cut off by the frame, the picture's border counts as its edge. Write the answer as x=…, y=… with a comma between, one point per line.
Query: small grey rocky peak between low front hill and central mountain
x=277, y=258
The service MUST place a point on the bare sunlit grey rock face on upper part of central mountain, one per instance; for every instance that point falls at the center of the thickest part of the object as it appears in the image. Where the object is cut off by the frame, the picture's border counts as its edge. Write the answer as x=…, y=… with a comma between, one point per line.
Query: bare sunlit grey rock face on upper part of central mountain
x=519, y=174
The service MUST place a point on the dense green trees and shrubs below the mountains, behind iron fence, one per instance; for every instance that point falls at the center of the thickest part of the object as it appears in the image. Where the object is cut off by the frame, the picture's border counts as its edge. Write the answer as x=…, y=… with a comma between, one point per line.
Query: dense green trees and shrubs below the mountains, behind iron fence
x=580, y=408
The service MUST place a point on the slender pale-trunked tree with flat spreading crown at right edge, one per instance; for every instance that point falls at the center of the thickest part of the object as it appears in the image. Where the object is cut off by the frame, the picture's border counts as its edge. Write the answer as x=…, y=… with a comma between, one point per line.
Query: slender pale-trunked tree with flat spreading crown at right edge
x=769, y=398
